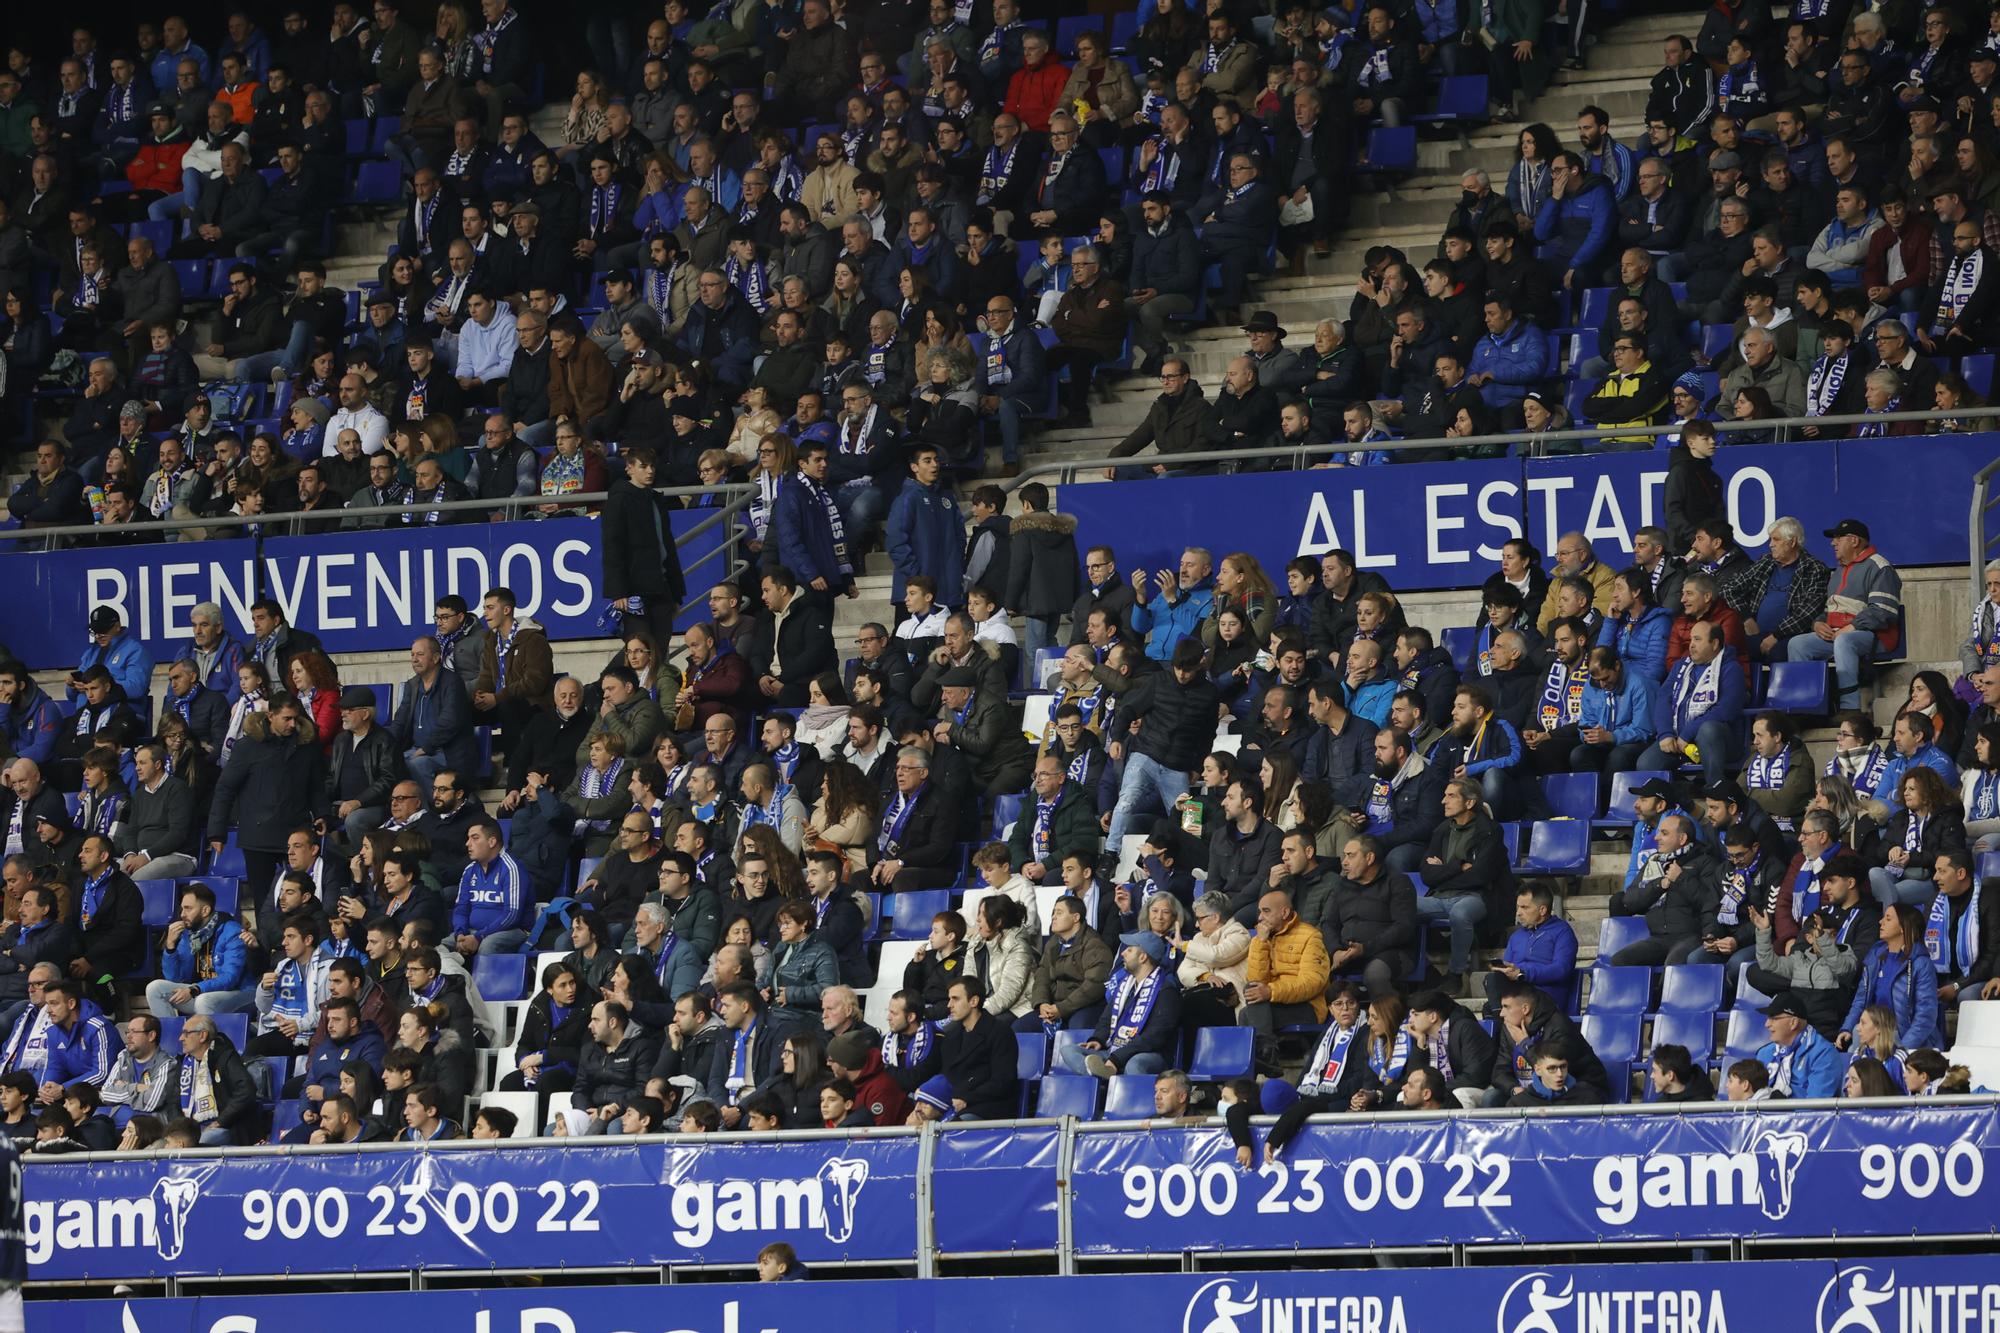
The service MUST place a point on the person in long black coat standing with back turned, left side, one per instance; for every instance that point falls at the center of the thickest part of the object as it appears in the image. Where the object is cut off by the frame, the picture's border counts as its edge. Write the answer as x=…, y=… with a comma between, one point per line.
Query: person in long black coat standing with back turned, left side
x=273, y=784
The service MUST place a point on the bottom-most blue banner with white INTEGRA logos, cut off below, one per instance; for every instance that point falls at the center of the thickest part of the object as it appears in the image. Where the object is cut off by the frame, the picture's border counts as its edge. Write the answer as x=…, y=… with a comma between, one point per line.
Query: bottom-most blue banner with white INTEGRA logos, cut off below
x=1807, y=1296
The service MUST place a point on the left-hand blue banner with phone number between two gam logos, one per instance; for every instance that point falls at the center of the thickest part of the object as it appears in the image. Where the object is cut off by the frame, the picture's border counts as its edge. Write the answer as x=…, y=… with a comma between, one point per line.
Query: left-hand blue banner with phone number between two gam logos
x=477, y=1208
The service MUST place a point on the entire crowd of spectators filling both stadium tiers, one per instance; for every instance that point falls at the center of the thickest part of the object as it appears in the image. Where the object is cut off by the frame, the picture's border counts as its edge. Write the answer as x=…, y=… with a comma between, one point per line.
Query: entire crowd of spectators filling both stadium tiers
x=935, y=221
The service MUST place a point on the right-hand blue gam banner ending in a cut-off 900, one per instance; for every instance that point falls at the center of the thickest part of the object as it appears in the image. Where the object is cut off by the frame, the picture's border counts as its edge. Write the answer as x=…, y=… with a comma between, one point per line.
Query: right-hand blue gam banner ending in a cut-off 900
x=1541, y=1180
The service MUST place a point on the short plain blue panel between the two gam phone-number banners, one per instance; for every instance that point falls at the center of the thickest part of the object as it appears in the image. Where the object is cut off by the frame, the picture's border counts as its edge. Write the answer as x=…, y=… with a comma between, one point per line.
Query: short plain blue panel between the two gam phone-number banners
x=993, y=1190
